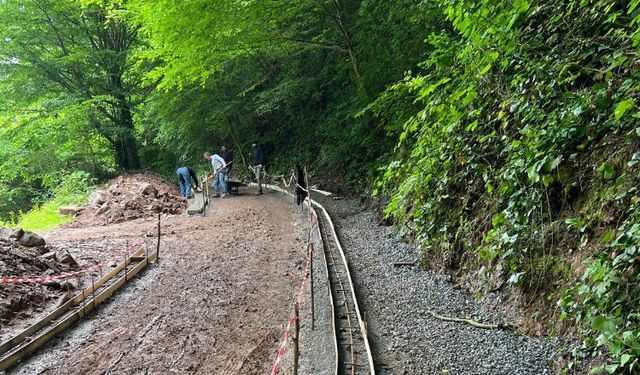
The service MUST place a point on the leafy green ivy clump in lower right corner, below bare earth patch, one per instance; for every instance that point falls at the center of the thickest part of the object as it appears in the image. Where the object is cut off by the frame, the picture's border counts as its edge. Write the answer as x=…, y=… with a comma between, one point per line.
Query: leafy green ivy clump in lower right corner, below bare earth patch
x=607, y=298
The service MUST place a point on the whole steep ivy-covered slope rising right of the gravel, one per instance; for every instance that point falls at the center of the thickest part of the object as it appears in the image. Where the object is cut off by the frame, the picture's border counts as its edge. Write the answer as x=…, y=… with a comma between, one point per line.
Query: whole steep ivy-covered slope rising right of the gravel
x=523, y=150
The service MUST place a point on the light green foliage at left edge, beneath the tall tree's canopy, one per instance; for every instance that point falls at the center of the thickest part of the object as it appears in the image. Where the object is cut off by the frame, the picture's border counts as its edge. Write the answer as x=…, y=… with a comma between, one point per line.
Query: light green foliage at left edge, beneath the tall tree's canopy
x=39, y=148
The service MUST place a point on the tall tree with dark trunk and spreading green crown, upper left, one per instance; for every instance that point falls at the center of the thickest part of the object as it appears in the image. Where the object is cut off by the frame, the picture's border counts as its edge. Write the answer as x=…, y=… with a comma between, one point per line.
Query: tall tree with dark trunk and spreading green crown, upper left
x=81, y=51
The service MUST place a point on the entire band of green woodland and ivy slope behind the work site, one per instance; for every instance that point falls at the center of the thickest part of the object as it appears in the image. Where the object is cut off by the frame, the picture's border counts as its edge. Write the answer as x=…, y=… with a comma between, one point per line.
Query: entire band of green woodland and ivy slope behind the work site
x=501, y=136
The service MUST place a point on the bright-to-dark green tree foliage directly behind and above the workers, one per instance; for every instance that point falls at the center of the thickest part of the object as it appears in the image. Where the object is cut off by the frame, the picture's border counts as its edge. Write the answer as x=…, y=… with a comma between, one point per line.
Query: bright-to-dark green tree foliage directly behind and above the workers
x=292, y=76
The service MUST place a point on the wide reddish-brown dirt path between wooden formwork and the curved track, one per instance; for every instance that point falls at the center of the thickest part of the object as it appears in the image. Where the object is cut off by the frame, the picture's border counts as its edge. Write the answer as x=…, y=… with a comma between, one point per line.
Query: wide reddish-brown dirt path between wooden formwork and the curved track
x=215, y=305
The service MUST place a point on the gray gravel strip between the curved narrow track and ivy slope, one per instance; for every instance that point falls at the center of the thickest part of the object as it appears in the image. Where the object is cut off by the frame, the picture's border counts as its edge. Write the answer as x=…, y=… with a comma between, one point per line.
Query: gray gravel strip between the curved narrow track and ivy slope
x=405, y=339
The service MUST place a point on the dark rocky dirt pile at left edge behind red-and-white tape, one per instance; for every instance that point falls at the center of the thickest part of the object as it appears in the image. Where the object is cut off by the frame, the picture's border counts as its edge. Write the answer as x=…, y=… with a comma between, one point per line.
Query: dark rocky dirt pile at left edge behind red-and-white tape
x=25, y=254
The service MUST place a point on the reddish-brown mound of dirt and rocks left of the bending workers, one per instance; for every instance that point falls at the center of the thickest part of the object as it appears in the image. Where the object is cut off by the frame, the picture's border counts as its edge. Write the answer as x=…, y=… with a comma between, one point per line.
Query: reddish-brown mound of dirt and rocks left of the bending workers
x=130, y=197
